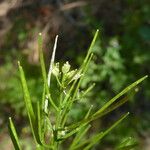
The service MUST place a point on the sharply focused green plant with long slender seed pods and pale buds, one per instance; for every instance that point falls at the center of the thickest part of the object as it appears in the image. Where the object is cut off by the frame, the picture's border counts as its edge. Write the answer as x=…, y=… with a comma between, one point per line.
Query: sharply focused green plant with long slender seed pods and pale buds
x=50, y=122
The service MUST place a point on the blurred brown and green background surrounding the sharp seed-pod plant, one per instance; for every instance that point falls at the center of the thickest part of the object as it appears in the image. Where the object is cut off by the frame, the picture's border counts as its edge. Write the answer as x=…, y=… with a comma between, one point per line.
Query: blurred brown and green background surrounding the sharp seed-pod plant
x=122, y=55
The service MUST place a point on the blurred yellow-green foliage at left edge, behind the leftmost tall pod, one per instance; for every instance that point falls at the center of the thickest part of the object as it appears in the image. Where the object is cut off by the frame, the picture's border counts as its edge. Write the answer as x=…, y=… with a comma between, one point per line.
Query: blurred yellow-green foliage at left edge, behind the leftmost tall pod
x=10, y=89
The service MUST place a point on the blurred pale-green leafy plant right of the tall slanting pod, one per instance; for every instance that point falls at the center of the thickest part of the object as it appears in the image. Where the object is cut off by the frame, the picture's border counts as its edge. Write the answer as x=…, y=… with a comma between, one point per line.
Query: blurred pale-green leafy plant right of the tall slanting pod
x=107, y=65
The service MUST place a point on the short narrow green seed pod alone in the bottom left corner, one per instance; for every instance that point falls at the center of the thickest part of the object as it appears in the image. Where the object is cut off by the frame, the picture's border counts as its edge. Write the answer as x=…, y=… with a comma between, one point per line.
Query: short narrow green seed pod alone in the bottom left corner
x=13, y=135
